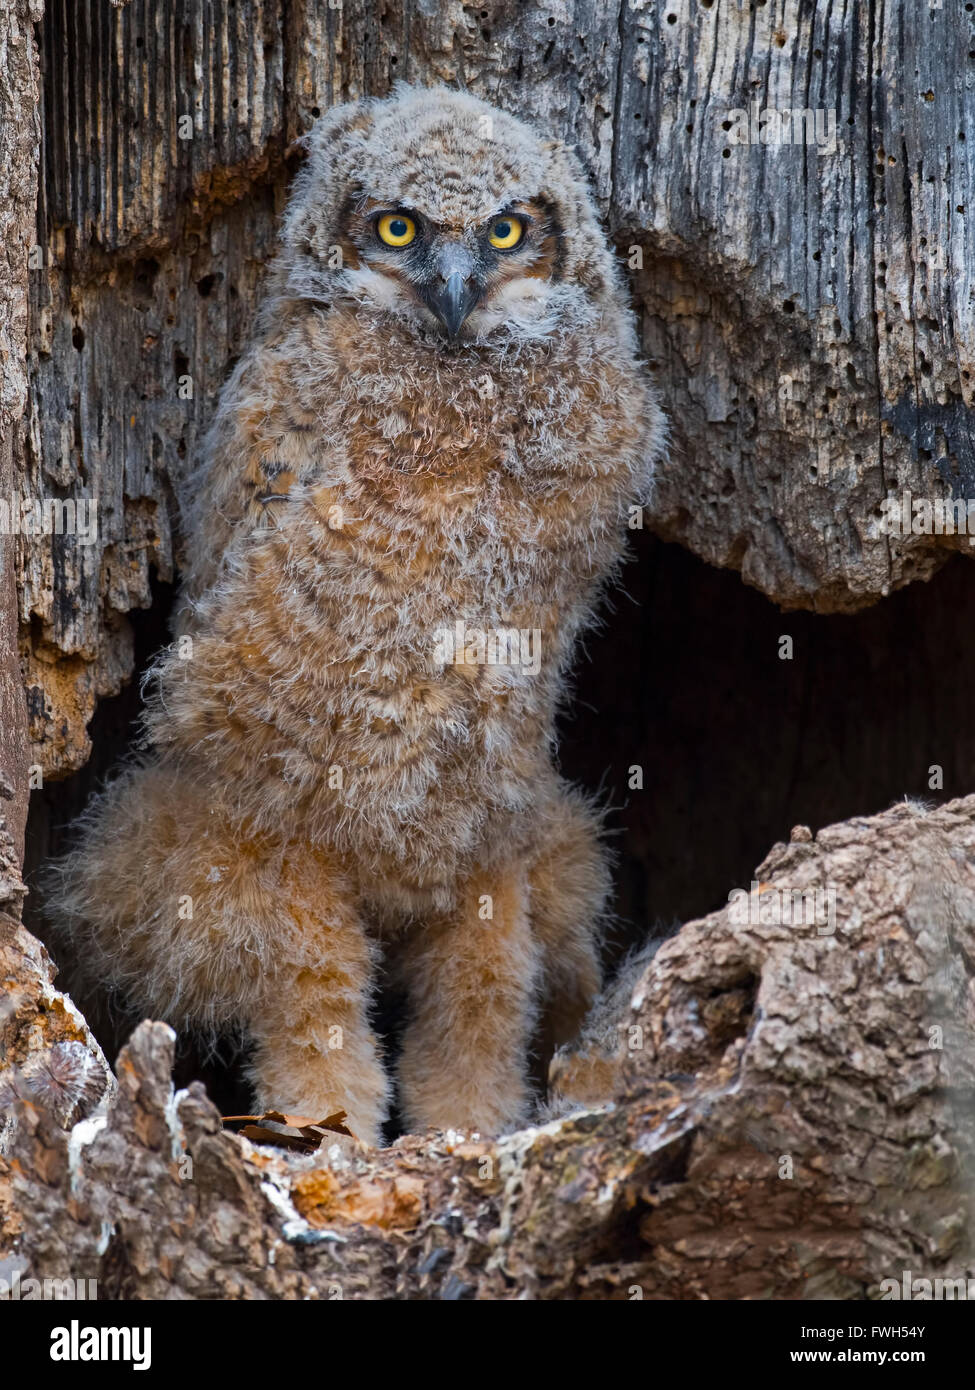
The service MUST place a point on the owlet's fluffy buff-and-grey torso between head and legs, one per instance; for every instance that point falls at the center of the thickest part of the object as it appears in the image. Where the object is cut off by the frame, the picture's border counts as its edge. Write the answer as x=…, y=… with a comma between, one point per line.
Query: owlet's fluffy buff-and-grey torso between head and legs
x=411, y=490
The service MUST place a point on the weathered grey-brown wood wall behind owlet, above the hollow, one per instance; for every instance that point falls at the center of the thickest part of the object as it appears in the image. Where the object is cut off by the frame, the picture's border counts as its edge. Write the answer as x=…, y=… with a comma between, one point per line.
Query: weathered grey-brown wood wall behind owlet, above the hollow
x=809, y=306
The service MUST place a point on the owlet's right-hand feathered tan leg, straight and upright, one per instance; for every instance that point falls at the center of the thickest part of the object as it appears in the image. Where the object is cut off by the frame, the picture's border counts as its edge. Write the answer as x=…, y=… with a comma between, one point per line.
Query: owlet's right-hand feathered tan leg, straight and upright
x=472, y=983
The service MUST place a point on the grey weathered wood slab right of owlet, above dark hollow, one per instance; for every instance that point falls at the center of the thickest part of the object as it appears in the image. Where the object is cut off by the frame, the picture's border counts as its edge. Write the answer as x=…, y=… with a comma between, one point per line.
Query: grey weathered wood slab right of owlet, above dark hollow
x=810, y=308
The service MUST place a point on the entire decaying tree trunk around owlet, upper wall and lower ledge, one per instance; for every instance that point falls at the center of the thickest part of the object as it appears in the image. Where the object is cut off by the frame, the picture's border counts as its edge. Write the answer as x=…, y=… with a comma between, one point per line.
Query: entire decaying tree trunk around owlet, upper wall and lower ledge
x=789, y=186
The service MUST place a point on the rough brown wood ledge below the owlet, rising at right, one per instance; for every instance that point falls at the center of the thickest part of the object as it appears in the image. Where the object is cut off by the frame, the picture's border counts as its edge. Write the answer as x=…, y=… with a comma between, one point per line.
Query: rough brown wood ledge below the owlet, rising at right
x=791, y=1120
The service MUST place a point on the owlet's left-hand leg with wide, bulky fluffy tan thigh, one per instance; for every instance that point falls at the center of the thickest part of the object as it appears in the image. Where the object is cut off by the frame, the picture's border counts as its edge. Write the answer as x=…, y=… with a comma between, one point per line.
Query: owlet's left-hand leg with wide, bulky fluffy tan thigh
x=209, y=925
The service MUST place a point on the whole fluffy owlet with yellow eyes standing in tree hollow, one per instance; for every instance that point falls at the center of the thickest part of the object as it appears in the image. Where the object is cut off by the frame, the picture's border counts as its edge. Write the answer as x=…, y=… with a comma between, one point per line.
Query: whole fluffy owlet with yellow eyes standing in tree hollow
x=414, y=493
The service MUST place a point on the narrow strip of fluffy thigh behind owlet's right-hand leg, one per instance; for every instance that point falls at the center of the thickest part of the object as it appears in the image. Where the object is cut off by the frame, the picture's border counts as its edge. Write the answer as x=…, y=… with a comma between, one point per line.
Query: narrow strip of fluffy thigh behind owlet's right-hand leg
x=571, y=886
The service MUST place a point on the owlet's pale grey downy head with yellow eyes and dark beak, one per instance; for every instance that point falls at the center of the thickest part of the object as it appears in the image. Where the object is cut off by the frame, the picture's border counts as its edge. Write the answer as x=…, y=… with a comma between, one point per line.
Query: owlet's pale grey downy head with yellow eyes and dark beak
x=449, y=215
